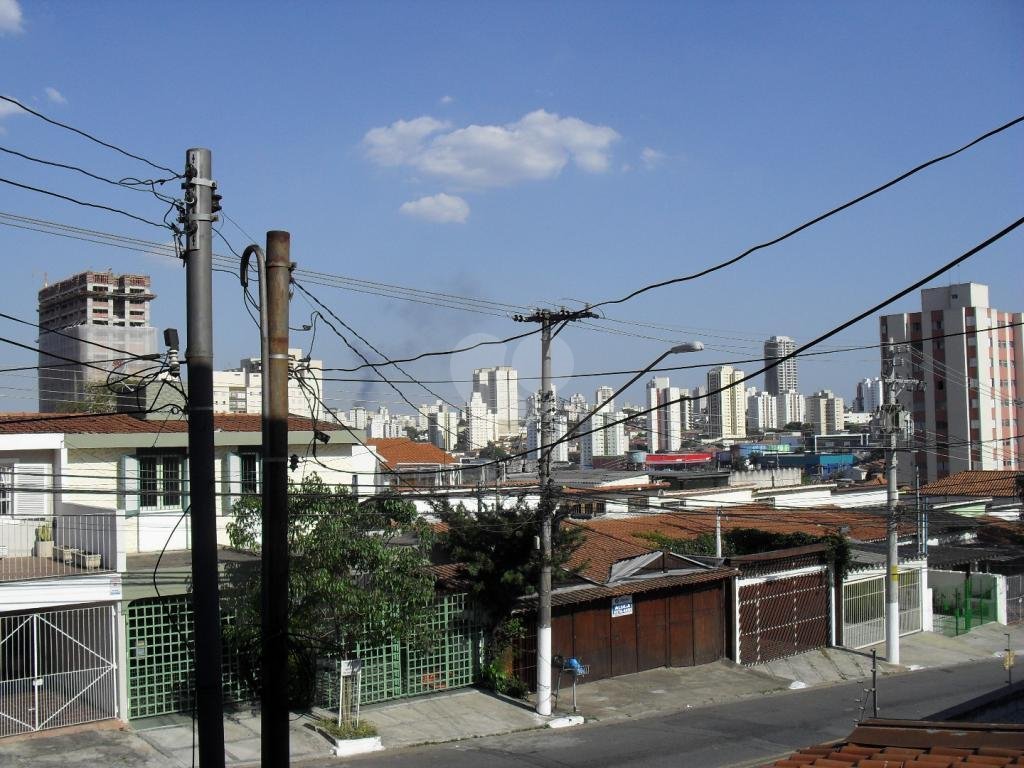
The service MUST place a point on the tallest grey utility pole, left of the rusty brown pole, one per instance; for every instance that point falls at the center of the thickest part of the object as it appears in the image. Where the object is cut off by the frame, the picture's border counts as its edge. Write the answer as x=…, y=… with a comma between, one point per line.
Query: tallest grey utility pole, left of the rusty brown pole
x=199, y=218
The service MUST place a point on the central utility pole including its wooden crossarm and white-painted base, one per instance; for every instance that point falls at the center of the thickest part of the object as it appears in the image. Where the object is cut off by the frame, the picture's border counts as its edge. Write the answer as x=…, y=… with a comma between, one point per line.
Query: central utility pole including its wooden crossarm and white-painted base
x=547, y=319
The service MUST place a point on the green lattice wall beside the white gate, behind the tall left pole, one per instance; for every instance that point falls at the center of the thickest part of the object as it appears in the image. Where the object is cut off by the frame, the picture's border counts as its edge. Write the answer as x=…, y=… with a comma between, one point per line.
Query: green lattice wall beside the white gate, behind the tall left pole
x=160, y=658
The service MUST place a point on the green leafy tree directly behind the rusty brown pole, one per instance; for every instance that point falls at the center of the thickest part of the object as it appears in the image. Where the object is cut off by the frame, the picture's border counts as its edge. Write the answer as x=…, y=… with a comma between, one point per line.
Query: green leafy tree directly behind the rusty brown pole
x=352, y=579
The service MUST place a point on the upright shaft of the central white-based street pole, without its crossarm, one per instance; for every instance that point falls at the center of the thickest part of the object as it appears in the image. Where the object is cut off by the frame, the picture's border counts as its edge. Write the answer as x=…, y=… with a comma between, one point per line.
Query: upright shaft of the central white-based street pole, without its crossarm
x=544, y=596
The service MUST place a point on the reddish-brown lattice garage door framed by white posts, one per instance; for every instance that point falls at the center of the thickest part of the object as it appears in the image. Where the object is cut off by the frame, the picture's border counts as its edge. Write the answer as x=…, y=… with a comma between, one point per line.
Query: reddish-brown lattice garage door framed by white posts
x=782, y=617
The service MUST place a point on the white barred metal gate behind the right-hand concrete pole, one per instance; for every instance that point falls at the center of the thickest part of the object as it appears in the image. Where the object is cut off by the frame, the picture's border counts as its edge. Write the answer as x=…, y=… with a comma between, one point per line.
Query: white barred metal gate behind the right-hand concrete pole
x=865, y=610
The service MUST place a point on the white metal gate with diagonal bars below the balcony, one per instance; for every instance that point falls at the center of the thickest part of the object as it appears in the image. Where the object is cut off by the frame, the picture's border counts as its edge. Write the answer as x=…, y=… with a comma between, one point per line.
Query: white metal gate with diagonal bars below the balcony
x=57, y=669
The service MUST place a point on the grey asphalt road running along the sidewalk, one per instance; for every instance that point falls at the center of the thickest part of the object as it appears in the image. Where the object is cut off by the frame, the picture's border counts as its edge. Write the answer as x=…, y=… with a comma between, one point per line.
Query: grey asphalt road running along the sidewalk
x=748, y=733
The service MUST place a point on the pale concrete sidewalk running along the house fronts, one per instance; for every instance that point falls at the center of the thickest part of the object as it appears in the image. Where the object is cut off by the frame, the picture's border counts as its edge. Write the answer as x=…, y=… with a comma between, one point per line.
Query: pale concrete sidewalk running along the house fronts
x=471, y=713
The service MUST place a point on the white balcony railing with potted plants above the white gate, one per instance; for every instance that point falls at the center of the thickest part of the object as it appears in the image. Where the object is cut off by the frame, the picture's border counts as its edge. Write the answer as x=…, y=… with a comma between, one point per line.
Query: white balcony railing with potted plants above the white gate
x=58, y=546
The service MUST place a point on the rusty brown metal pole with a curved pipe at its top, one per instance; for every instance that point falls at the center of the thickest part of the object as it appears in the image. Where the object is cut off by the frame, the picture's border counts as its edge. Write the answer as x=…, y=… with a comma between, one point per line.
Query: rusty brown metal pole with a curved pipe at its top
x=275, y=712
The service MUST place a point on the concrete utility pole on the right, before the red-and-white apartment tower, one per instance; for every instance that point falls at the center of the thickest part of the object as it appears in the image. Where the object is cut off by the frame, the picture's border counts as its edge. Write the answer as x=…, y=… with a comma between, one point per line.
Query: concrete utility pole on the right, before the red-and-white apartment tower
x=892, y=425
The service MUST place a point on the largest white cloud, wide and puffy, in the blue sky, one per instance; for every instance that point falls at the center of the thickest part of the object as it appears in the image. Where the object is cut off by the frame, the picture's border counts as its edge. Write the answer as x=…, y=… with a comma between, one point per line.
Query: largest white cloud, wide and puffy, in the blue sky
x=537, y=147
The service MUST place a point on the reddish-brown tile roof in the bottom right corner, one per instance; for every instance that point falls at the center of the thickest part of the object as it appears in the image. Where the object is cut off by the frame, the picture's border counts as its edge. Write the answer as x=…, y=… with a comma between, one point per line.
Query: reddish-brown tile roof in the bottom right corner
x=905, y=744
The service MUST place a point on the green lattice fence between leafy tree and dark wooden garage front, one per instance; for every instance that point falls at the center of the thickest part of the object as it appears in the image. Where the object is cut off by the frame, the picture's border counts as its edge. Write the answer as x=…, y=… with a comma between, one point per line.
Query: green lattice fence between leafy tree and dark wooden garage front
x=401, y=669
